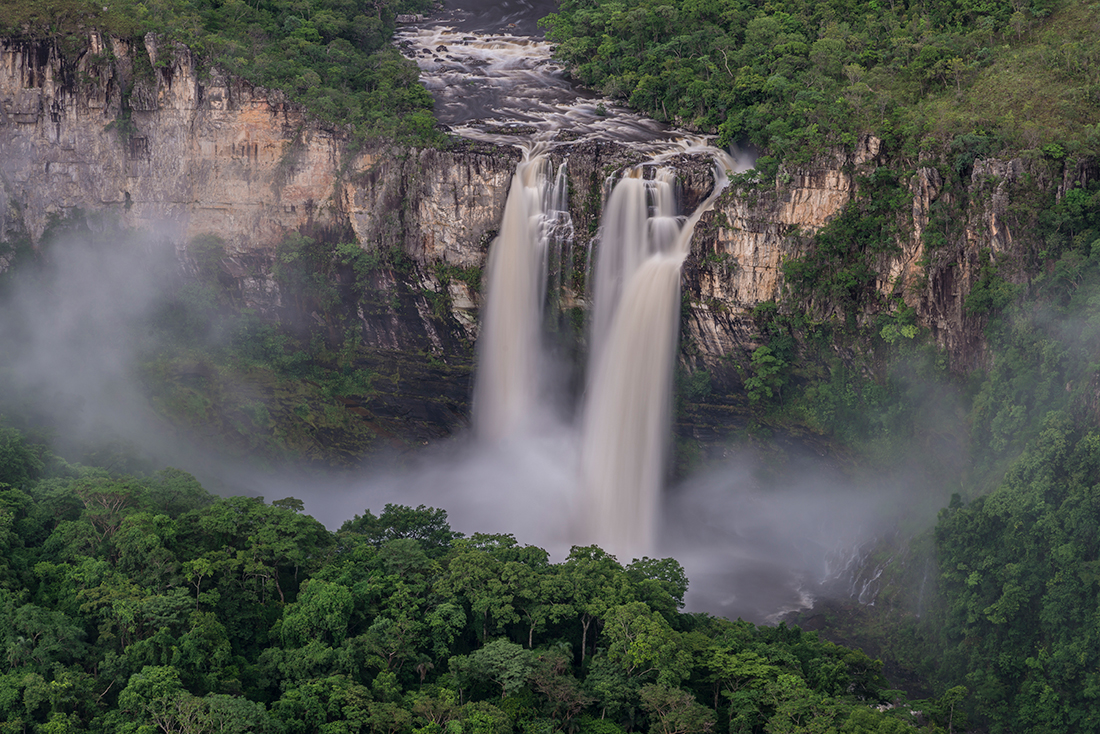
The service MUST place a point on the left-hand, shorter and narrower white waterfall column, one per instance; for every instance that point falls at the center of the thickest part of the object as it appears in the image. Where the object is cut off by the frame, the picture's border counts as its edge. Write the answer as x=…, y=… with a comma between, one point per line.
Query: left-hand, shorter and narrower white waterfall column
x=509, y=385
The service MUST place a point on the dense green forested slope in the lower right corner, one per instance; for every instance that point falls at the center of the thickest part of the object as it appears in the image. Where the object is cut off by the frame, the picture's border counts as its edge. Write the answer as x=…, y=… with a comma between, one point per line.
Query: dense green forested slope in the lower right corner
x=1019, y=579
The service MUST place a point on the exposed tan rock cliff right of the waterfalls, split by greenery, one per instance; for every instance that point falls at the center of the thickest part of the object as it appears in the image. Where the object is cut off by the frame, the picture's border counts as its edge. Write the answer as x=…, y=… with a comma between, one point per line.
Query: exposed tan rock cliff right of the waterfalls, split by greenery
x=740, y=249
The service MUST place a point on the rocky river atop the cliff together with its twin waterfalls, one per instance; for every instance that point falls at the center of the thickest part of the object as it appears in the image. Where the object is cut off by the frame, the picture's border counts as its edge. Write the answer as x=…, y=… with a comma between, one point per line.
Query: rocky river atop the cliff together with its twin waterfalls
x=493, y=85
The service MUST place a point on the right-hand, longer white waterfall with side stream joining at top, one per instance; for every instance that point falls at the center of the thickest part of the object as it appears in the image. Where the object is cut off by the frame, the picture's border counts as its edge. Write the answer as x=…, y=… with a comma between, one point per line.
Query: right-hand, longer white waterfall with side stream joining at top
x=634, y=338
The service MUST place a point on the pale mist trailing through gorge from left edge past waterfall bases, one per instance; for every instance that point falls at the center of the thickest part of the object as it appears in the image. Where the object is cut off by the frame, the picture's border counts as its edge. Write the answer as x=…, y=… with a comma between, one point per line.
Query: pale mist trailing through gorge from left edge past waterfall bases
x=756, y=534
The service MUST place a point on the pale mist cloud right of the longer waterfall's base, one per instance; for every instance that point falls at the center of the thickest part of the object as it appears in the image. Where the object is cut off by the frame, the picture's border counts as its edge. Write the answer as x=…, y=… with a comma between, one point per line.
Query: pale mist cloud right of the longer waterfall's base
x=761, y=544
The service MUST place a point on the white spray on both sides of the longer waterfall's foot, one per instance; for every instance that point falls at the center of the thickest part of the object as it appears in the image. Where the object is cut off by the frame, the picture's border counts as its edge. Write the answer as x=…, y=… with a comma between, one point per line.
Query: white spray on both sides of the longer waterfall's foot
x=755, y=541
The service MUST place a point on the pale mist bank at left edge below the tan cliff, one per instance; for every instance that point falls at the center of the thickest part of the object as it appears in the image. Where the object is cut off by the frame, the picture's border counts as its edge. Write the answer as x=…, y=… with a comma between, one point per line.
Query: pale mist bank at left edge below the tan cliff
x=73, y=327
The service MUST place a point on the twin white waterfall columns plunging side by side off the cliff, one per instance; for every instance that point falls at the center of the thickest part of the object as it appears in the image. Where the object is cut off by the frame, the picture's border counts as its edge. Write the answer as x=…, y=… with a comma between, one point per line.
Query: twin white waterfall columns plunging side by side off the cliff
x=624, y=430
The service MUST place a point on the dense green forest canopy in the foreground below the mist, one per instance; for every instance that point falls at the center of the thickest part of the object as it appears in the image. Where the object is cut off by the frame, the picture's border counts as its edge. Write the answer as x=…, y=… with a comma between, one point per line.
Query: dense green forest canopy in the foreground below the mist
x=142, y=604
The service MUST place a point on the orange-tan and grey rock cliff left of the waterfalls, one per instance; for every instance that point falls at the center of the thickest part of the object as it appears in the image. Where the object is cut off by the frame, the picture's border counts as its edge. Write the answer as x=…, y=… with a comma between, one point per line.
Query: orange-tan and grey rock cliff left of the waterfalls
x=138, y=132
